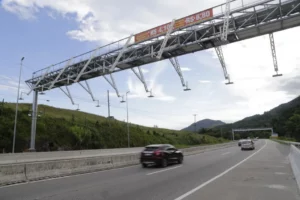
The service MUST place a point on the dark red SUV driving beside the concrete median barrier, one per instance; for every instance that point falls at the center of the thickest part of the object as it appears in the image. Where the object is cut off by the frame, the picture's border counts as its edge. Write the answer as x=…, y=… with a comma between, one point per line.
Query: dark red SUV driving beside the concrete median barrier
x=160, y=154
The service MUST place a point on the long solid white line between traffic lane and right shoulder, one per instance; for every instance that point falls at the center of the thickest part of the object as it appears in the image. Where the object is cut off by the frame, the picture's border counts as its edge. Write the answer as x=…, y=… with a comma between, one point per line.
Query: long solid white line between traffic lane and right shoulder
x=218, y=176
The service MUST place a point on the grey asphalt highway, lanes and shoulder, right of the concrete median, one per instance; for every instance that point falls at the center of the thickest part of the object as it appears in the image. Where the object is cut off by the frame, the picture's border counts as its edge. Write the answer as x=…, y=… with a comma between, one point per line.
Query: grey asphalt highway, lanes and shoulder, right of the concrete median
x=228, y=173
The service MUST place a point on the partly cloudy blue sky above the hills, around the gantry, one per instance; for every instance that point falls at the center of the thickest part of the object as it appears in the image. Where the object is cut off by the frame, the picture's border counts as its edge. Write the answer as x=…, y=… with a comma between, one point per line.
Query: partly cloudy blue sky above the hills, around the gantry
x=46, y=32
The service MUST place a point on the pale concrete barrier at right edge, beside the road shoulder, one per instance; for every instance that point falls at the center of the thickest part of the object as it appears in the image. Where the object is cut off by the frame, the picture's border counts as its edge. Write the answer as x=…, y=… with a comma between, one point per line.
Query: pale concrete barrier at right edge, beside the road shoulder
x=294, y=158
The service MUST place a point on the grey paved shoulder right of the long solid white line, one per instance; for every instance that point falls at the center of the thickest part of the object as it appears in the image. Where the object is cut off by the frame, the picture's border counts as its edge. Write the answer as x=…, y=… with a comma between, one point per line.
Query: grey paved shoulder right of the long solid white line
x=267, y=175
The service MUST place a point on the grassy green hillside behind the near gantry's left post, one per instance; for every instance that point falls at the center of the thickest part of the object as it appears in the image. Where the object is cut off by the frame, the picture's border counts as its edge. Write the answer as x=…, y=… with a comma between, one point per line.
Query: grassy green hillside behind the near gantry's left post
x=61, y=129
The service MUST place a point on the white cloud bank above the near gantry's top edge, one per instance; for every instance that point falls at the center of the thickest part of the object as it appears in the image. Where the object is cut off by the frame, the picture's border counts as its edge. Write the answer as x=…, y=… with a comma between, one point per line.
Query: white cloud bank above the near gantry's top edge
x=94, y=18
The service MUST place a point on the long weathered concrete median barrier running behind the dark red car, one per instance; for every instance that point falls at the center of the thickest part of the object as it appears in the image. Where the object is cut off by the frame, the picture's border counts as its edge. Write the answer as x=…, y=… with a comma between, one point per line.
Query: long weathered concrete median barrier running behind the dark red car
x=29, y=171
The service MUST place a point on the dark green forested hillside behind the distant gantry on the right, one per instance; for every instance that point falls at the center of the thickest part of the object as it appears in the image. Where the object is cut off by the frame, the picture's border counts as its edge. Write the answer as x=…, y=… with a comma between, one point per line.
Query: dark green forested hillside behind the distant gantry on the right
x=285, y=120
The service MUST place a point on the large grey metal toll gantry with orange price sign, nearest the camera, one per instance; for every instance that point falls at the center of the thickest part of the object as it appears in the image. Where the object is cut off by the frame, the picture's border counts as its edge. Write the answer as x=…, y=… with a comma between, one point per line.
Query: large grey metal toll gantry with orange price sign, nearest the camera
x=230, y=22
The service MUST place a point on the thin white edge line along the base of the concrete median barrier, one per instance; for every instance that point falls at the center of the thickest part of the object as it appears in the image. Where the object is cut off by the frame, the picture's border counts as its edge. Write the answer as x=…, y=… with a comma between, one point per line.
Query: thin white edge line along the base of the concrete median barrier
x=68, y=176
